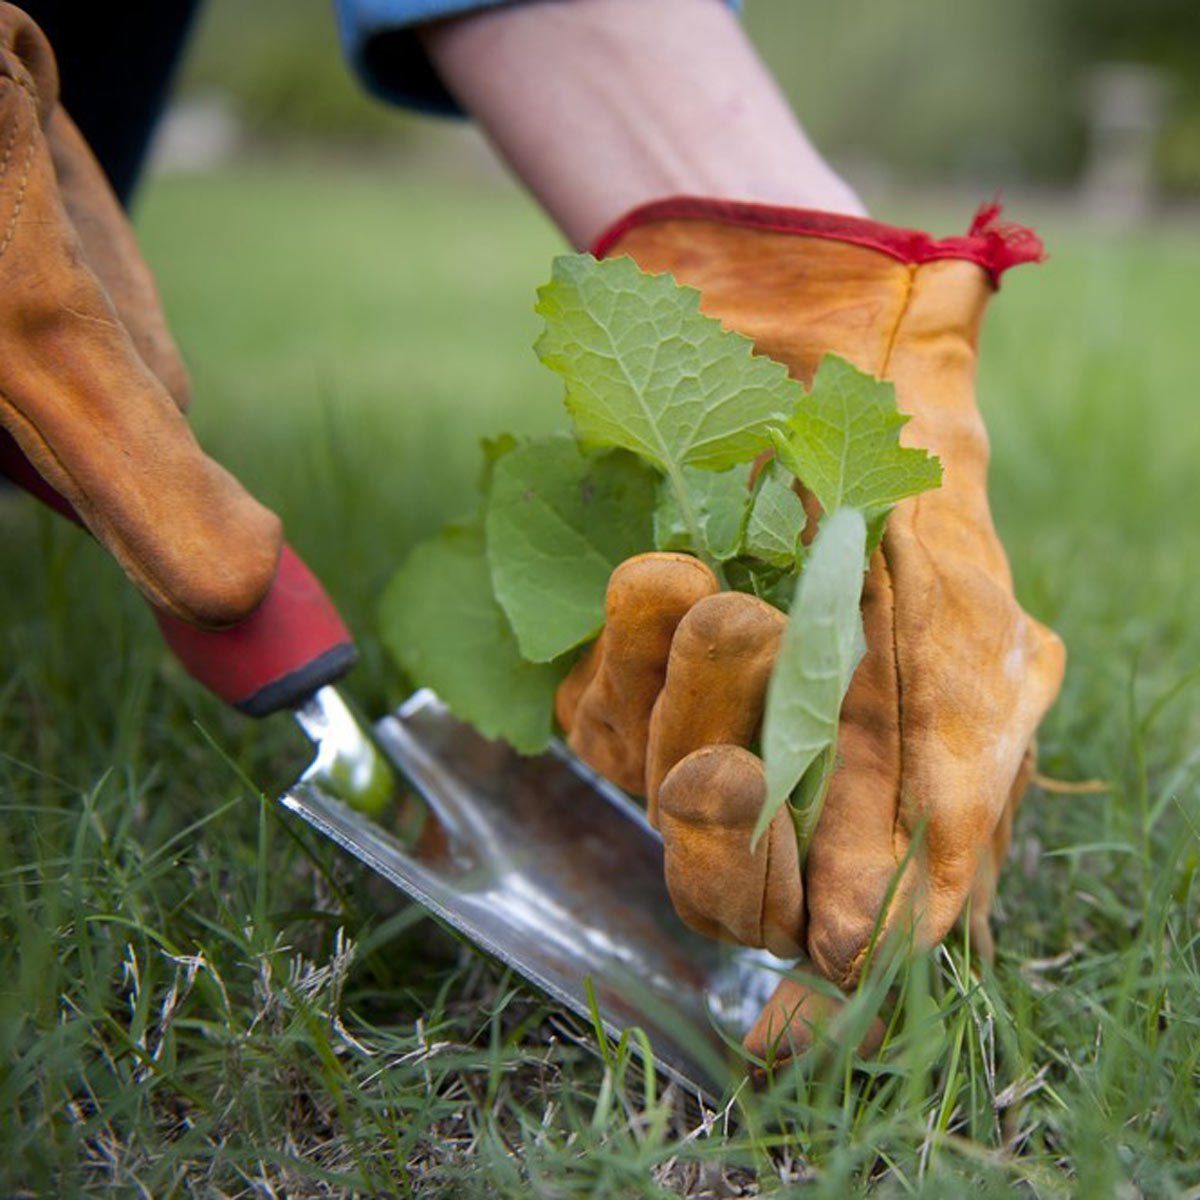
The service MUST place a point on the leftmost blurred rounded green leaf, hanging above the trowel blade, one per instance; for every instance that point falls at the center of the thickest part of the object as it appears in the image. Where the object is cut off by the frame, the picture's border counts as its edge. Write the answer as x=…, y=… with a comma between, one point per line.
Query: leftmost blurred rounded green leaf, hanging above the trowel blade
x=443, y=626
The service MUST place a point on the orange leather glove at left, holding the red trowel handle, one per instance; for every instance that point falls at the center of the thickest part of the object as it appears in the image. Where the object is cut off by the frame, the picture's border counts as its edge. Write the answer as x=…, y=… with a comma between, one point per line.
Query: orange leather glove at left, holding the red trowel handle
x=92, y=387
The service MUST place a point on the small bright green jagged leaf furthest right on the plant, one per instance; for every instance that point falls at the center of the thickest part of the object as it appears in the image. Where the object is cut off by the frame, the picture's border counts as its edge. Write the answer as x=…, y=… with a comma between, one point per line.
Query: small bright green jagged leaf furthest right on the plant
x=844, y=445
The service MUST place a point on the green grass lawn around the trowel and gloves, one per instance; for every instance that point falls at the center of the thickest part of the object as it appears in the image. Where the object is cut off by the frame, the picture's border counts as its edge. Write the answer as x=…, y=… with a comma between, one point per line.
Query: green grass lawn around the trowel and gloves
x=197, y=997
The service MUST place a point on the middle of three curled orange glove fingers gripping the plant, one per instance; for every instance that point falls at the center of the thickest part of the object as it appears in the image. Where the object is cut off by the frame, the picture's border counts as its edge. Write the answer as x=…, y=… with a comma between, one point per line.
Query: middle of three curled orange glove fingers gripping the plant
x=716, y=687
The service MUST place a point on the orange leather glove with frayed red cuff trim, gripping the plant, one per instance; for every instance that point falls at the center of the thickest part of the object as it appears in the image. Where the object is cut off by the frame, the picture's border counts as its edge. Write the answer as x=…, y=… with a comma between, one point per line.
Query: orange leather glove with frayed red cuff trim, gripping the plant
x=938, y=729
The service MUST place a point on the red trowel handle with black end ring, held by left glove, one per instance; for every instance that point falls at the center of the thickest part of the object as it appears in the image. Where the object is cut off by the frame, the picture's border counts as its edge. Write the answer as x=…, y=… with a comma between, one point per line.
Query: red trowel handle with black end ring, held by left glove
x=292, y=645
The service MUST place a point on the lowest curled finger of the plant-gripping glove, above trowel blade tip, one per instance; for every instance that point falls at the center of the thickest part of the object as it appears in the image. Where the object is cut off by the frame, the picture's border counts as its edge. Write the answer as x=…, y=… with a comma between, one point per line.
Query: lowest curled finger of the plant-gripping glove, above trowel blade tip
x=709, y=806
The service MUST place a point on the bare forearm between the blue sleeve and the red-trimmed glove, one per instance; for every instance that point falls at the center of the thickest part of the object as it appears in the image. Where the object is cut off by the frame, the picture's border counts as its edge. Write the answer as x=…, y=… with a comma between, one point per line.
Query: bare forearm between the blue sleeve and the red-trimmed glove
x=604, y=105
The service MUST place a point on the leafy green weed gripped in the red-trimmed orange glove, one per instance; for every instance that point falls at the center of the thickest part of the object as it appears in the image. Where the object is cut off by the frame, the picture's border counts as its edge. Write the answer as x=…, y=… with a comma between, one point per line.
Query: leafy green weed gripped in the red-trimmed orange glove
x=669, y=411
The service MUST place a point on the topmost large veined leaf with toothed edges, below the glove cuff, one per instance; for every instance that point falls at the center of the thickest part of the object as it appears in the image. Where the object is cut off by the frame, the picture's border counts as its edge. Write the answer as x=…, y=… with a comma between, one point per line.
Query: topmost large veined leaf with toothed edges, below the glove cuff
x=647, y=373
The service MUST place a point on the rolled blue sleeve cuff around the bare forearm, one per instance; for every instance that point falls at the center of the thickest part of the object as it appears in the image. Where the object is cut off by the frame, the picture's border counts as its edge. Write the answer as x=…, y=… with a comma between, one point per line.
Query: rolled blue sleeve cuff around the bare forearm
x=380, y=43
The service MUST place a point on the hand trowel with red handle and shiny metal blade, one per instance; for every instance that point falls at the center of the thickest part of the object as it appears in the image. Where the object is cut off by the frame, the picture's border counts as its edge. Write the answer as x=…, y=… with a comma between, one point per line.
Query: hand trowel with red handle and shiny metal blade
x=536, y=861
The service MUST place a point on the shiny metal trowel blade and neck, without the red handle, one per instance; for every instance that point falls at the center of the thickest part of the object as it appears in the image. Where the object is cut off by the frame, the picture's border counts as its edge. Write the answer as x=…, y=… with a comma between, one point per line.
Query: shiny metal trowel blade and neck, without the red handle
x=549, y=869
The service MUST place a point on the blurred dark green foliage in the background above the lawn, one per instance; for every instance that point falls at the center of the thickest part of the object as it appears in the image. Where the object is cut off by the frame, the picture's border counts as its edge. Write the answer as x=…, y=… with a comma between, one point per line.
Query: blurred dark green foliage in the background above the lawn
x=956, y=91
